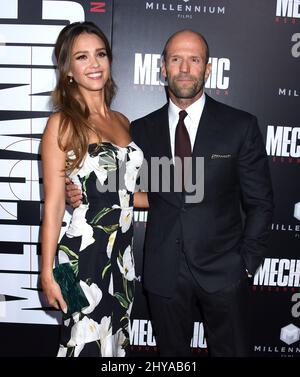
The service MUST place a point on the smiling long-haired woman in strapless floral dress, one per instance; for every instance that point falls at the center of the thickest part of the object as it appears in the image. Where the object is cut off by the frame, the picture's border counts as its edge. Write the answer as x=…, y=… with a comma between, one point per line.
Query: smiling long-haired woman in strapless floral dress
x=87, y=141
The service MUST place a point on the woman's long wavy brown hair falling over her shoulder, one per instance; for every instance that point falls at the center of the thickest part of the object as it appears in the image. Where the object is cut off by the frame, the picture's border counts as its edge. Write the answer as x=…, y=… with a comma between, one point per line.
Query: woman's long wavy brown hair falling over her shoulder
x=74, y=126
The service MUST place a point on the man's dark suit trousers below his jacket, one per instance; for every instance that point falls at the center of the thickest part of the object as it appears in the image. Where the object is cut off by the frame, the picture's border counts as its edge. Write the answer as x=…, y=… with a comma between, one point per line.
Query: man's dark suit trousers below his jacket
x=224, y=315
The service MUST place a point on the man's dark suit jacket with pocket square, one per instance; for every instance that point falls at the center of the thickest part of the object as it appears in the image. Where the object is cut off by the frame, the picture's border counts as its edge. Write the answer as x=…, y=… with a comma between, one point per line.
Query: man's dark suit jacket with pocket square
x=226, y=233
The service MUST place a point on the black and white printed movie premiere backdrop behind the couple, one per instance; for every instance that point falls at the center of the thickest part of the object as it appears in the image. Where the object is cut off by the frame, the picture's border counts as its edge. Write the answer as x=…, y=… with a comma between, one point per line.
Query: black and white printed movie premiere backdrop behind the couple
x=255, y=56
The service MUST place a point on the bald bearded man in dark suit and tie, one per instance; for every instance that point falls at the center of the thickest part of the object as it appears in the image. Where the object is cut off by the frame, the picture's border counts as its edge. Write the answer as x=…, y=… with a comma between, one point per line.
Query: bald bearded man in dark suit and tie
x=198, y=256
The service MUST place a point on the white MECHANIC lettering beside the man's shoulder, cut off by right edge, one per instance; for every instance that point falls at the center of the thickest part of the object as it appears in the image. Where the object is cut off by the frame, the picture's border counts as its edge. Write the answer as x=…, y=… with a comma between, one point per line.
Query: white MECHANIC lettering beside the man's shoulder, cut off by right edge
x=283, y=143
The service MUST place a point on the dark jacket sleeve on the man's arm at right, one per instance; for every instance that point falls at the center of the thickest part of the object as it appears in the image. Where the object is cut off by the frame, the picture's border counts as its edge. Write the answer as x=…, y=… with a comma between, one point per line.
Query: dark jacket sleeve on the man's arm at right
x=257, y=196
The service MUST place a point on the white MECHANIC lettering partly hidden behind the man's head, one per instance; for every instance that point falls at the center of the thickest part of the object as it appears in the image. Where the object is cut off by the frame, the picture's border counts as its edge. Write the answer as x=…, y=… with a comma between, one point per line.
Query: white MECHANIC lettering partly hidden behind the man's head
x=147, y=74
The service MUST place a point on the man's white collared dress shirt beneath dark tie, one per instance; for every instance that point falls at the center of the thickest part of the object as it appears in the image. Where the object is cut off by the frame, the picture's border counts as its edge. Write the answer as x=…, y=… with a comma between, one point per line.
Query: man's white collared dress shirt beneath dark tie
x=191, y=121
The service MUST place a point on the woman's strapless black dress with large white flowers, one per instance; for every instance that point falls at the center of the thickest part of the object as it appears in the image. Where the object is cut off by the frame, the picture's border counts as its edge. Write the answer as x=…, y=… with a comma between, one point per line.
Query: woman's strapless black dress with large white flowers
x=98, y=244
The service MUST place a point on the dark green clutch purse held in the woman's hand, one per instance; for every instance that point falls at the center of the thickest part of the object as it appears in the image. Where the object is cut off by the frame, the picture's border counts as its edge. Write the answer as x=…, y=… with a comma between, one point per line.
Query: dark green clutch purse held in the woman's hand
x=70, y=288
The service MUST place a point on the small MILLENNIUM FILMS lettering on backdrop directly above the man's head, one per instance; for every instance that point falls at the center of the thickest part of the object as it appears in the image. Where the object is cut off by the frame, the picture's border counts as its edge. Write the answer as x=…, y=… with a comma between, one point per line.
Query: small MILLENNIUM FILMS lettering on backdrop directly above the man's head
x=184, y=9
